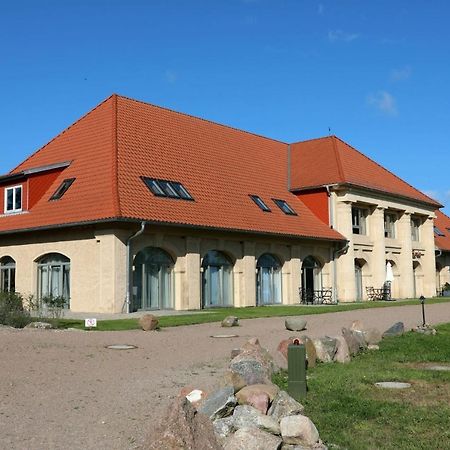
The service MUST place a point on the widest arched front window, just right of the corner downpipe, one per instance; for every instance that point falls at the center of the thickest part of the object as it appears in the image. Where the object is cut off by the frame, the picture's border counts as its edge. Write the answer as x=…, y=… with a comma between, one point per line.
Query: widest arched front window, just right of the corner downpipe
x=152, y=279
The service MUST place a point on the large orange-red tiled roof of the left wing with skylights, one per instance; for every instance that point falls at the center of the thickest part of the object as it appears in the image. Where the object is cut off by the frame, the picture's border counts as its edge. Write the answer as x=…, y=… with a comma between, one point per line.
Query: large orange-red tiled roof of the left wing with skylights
x=121, y=139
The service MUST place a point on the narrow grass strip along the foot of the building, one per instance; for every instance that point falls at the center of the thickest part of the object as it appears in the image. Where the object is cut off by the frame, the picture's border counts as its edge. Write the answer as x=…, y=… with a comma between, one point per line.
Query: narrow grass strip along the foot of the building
x=217, y=315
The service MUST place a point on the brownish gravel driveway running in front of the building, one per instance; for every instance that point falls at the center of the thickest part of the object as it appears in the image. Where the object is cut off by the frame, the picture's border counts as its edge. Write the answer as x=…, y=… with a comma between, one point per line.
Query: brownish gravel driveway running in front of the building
x=65, y=390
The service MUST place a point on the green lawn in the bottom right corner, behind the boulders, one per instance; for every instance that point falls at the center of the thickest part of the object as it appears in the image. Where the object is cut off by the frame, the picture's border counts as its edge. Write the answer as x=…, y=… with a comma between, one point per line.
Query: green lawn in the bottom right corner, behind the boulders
x=349, y=411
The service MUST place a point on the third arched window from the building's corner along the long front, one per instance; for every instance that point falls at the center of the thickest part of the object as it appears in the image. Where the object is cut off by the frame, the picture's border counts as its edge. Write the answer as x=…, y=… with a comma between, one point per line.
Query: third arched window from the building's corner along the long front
x=268, y=280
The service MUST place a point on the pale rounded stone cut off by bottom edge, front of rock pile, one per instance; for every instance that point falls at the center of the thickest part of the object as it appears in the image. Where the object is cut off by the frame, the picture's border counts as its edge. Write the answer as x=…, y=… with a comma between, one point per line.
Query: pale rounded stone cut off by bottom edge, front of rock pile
x=252, y=439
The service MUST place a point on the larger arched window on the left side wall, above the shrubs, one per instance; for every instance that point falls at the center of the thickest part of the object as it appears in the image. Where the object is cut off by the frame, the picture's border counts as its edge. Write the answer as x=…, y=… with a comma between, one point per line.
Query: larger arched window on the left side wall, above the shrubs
x=54, y=276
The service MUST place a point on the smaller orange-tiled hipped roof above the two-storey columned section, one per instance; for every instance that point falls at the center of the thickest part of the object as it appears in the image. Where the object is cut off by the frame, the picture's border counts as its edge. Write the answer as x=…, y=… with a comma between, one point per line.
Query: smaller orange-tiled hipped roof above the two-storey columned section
x=330, y=160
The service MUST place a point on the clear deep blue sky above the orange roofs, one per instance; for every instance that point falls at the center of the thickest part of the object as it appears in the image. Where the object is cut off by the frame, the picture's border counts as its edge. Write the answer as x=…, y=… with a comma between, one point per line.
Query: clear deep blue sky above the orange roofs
x=376, y=72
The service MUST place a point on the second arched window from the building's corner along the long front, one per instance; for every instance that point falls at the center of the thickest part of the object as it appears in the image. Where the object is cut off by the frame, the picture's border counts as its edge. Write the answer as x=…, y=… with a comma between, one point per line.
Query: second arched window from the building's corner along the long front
x=217, y=288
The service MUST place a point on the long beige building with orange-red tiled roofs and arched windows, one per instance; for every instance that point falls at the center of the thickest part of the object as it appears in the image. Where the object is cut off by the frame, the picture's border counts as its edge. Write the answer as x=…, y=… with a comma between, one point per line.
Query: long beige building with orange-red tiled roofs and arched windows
x=139, y=207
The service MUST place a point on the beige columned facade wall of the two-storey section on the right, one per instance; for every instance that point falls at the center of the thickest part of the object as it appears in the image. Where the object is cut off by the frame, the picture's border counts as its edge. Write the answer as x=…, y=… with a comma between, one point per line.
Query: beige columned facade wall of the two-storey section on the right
x=373, y=249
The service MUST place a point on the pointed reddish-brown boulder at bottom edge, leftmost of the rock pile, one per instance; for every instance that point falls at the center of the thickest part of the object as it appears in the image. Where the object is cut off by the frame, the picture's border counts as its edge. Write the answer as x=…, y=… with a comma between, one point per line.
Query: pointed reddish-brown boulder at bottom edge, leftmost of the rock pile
x=183, y=427
